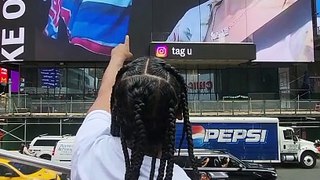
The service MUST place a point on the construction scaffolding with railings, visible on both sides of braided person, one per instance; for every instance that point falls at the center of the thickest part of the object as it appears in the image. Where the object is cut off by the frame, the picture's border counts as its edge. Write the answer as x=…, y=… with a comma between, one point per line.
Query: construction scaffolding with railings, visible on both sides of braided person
x=22, y=118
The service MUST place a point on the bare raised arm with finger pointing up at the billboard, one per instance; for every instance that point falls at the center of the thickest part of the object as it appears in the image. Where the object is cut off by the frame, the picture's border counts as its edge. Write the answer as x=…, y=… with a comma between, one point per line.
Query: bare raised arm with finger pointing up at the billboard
x=118, y=55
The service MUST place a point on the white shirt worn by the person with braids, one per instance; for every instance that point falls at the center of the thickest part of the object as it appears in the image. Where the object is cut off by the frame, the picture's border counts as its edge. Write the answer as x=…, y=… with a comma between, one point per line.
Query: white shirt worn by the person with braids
x=98, y=155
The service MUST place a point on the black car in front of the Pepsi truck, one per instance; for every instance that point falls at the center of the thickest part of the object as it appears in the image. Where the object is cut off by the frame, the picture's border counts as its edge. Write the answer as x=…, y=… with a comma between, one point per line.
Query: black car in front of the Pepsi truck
x=210, y=162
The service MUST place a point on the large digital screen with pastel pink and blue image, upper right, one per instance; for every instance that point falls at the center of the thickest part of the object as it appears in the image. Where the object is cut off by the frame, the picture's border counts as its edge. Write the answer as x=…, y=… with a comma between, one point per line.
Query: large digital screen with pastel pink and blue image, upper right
x=281, y=29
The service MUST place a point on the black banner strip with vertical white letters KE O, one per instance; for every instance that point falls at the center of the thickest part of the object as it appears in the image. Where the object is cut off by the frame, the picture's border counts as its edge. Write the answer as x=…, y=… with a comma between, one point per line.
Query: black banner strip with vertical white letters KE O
x=17, y=36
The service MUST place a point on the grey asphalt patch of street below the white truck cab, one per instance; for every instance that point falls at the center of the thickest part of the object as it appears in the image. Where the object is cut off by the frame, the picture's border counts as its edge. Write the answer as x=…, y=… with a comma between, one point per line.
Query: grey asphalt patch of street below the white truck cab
x=292, y=172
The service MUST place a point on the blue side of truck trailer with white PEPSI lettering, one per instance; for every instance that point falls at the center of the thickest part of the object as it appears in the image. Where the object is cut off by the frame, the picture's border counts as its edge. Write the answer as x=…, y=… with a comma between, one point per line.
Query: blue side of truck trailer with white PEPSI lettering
x=247, y=141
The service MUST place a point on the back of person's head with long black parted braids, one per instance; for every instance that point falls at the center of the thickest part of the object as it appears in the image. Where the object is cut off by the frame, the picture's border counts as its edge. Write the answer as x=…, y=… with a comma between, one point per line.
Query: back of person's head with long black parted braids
x=146, y=97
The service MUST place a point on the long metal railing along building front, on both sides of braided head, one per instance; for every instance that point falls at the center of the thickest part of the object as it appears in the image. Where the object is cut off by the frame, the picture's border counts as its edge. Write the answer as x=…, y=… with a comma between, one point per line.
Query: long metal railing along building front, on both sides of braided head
x=215, y=108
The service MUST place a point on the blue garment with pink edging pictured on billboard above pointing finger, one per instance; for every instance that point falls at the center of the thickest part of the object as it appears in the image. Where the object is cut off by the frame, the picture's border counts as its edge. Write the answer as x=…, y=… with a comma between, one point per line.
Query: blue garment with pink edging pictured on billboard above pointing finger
x=96, y=25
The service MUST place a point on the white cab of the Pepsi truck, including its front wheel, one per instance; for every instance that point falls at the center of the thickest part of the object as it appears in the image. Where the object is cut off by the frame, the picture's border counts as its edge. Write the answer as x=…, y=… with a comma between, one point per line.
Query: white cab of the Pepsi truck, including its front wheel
x=293, y=149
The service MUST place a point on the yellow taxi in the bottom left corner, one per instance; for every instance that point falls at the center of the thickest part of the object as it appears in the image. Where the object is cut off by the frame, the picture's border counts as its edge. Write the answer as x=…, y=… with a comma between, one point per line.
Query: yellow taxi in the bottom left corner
x=10, y=170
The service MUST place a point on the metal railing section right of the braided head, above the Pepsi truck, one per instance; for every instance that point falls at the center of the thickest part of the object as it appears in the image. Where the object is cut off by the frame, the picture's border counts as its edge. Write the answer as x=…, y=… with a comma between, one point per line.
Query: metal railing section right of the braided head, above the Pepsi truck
x=254, y=107
